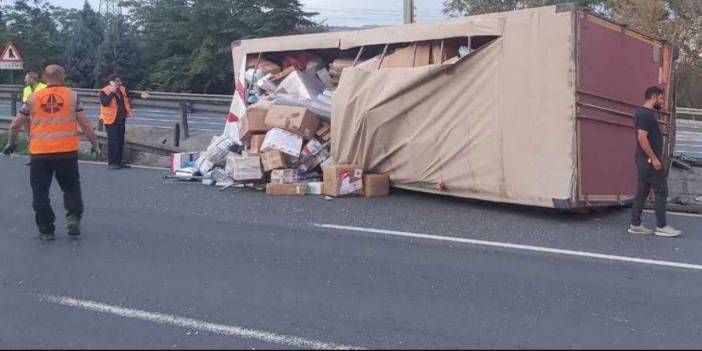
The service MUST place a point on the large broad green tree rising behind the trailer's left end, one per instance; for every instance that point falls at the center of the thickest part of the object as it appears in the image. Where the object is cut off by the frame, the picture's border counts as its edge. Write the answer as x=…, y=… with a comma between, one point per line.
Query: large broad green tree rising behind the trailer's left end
x=193, y=38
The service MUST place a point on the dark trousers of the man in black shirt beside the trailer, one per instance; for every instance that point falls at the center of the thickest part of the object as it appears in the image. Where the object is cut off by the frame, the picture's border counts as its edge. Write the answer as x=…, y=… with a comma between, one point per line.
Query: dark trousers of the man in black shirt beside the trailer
x=649, y=179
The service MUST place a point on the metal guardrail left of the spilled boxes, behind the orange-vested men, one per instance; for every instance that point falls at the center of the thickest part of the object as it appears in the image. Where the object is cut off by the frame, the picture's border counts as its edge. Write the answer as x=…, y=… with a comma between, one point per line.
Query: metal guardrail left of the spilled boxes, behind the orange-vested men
x=180, y=103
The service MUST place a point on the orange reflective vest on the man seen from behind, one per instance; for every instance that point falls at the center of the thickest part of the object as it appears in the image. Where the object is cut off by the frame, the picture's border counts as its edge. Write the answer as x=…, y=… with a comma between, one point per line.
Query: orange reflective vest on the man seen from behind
x=53, y=123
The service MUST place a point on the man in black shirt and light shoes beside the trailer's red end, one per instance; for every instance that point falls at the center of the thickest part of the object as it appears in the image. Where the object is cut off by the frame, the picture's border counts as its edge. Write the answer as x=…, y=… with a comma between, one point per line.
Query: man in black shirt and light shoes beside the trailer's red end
x=652, y=172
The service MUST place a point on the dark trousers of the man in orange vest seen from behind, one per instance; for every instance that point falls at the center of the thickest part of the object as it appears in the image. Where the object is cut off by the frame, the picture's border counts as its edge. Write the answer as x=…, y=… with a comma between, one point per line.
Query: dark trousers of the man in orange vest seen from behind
x=42, y=172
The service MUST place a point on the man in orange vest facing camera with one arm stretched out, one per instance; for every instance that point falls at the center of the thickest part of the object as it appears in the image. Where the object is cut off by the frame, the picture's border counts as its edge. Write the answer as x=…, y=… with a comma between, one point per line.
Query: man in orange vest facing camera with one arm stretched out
x=115, y=108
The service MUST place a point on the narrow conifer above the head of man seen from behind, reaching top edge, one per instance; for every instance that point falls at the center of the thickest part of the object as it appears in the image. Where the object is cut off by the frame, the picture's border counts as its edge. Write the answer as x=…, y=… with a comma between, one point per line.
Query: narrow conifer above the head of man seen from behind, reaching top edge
x=80, y=55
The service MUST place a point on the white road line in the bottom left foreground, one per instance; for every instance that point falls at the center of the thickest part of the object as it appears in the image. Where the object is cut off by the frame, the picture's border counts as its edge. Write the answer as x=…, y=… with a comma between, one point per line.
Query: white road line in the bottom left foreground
x=194, y=324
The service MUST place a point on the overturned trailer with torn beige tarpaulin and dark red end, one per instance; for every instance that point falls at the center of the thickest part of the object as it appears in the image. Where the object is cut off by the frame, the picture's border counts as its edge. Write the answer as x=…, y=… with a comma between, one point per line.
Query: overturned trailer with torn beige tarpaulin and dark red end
x=539, y=111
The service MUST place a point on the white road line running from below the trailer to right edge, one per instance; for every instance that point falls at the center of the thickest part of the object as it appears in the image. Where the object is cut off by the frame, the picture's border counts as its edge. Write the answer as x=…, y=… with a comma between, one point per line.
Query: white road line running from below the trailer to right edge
x=515, y=246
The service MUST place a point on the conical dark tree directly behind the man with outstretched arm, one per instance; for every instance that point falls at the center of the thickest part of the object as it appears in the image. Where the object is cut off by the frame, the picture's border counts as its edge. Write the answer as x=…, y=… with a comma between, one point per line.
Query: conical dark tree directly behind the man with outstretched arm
x=118, y=53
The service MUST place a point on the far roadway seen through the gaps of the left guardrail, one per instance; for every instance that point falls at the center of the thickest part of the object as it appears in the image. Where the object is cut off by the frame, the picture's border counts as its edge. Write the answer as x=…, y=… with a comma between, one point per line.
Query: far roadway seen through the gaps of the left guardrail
x=154, y=117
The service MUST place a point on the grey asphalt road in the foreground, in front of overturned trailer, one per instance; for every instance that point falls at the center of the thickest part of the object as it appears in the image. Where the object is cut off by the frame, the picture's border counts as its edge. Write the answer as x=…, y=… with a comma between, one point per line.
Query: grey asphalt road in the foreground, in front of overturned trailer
x=164, y=265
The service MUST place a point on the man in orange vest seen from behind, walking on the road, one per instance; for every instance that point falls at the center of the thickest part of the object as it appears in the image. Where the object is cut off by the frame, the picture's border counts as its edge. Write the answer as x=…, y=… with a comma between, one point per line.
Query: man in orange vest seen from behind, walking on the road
x=54, y=114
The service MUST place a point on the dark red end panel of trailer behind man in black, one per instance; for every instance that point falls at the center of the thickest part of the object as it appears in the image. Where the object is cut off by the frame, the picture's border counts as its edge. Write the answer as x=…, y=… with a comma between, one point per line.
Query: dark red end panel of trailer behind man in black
x=615, y=66
